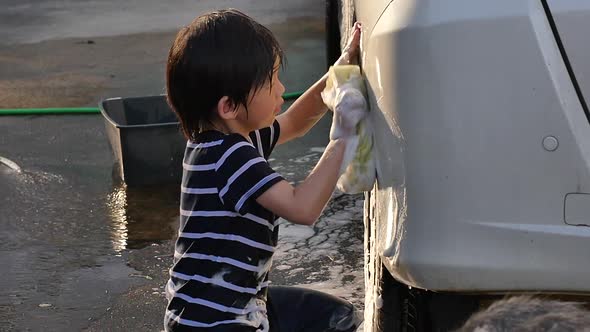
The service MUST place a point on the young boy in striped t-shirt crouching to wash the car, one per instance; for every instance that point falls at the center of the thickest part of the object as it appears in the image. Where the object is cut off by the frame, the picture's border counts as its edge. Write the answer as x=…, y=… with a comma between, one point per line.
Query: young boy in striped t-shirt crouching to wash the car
x=222, y=82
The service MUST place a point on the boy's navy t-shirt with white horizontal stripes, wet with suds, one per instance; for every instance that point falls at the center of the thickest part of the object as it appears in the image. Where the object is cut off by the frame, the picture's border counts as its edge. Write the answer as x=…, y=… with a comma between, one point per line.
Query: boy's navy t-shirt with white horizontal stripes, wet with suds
x=226, y=239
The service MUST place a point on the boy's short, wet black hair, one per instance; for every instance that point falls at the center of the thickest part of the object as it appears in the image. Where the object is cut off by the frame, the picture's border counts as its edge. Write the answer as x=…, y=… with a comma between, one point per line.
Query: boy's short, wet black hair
x=222, y=53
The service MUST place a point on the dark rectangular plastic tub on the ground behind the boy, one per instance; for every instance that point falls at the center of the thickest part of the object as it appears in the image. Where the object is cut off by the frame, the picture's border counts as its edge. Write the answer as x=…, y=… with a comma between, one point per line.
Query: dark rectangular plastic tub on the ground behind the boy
x=145, y=138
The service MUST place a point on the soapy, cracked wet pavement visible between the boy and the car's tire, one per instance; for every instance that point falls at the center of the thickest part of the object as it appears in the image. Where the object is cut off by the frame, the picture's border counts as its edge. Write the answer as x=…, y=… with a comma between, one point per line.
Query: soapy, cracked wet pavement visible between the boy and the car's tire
x=329, y=255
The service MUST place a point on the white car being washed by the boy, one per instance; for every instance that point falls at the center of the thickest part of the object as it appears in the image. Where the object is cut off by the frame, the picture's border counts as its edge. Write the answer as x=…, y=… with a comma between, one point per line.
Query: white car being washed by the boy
x=483, y=152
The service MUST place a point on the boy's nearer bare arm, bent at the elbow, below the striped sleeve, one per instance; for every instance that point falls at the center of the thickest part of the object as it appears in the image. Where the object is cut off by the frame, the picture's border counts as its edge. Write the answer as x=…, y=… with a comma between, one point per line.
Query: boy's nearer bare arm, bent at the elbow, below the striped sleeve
x=304, y=204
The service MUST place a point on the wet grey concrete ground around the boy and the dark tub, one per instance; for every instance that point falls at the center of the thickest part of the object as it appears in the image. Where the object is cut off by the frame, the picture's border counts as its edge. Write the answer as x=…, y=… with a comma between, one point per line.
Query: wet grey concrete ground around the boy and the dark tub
x=81, y=251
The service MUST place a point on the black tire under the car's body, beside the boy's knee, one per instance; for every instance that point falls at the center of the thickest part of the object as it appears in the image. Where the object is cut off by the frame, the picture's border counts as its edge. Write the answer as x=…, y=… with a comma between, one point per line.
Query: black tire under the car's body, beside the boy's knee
x=391, y=306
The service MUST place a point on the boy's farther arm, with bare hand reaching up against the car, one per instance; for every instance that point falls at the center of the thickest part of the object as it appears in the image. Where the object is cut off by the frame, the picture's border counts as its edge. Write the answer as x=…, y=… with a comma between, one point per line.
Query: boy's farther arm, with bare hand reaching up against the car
x=308, y=109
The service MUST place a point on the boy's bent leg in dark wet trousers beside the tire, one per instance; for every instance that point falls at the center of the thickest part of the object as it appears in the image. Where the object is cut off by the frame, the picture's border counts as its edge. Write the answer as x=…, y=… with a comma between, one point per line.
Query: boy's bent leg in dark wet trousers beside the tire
x=294, y=309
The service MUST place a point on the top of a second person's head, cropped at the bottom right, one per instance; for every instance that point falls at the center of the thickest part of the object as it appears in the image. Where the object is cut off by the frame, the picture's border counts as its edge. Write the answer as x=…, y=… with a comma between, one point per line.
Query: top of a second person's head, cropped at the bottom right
x=528, y=314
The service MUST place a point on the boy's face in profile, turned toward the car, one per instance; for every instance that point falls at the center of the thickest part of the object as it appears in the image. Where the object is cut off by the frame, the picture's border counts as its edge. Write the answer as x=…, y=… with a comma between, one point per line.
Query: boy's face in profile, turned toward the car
x=265, y=103
